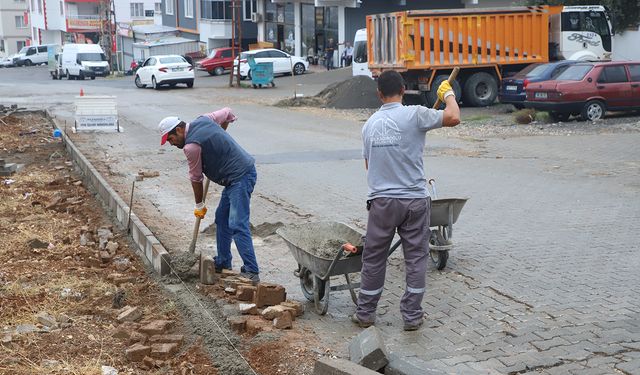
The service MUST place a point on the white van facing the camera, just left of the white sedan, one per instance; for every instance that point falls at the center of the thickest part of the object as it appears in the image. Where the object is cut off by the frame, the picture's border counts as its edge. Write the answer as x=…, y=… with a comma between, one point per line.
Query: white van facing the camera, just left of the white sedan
x=84, y=60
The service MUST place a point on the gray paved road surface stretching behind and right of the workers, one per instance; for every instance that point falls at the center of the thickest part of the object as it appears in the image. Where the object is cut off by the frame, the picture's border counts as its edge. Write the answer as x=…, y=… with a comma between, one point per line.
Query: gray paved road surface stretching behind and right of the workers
x=544, y=276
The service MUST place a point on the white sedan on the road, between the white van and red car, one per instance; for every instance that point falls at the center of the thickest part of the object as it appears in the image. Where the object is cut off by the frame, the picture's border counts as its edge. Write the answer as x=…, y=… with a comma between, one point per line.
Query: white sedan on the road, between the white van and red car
x=165, y=70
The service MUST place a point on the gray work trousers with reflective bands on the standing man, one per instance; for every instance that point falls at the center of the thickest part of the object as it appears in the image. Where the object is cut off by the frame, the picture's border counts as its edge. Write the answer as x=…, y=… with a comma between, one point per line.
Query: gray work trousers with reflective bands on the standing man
x=410, y=217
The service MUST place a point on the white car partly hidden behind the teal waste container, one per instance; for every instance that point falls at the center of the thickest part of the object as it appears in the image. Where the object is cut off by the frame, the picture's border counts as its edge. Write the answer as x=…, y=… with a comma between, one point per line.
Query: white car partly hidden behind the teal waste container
x=283, y=62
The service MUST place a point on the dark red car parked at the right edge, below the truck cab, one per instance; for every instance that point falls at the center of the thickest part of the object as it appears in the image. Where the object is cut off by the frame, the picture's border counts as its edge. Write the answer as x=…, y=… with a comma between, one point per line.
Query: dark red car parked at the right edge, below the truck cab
x=588, y=90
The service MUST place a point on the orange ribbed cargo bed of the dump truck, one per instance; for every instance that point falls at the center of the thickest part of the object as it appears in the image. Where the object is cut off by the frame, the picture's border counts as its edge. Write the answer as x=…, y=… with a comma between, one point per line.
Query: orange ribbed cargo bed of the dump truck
x=432, y=39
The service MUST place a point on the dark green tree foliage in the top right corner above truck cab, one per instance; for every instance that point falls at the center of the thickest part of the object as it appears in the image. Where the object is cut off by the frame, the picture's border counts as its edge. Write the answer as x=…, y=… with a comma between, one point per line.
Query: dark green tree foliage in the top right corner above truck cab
x=625, y=13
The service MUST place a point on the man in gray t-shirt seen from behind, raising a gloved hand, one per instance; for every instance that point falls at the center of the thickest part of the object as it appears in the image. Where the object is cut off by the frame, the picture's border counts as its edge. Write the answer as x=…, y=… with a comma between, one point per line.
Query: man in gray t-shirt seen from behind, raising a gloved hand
x=398, y=198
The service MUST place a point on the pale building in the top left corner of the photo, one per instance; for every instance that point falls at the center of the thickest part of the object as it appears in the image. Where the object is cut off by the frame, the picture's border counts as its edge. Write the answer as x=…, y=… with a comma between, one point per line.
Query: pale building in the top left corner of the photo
x=14, y=26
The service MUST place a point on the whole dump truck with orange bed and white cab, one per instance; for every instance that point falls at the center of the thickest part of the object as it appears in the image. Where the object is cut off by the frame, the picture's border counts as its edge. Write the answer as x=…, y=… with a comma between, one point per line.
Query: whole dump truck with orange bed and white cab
x=487, y=44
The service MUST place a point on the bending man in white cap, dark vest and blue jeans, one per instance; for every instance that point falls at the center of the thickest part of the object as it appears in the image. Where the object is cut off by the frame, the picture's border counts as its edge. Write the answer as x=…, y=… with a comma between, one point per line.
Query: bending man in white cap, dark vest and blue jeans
x=212, y=152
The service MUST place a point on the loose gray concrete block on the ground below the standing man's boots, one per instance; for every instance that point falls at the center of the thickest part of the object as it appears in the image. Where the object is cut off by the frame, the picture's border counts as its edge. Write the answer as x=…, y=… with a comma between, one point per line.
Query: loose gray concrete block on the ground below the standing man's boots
x=368, y=349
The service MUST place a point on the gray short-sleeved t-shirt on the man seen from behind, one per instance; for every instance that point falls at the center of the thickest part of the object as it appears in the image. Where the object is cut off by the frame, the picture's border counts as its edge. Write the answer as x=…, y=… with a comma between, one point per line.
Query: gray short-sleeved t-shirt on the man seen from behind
x=394, y=139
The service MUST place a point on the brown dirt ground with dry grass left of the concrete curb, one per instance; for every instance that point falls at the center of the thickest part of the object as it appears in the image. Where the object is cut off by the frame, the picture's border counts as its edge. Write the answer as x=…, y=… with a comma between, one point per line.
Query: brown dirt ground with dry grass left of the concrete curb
x=66, y=274
